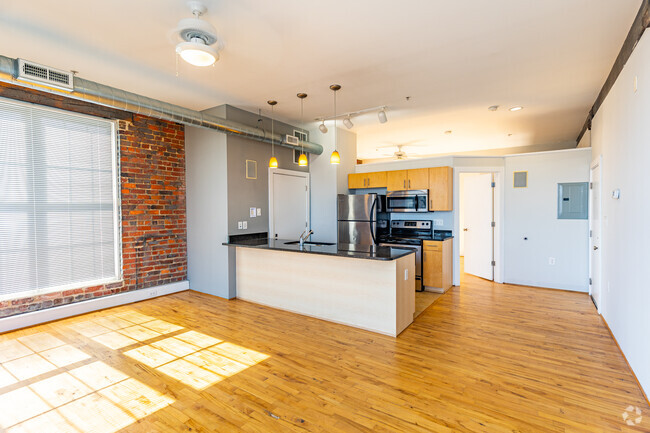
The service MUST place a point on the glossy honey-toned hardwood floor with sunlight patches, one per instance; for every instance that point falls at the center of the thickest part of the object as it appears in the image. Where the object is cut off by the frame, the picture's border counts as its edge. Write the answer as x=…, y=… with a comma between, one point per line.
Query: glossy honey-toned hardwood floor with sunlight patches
x=484, y=358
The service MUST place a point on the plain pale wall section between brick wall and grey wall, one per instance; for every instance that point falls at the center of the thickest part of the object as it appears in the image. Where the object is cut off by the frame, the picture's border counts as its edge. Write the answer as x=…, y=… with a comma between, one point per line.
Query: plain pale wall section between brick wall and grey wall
x=207, y=211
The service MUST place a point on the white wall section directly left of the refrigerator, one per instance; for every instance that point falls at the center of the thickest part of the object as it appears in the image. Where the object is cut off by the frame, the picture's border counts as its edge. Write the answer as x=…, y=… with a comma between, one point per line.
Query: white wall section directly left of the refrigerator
x=328, y=180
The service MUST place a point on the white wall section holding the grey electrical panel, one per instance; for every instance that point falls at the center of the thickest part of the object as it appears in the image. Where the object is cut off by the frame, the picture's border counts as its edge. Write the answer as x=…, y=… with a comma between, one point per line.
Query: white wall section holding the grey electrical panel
x=532, y=213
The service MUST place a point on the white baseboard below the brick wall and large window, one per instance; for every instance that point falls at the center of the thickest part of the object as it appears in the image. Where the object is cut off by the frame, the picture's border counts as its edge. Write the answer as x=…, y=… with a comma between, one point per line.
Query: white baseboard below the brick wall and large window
x=25, y=320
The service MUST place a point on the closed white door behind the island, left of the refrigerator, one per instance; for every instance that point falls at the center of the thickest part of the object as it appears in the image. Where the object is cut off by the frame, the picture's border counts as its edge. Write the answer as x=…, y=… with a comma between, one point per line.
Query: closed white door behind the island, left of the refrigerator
x=289, y=215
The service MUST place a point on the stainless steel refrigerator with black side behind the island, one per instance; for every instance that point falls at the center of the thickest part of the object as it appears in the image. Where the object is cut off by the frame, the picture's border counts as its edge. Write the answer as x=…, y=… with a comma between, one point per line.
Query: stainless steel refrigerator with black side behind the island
x=357, y=220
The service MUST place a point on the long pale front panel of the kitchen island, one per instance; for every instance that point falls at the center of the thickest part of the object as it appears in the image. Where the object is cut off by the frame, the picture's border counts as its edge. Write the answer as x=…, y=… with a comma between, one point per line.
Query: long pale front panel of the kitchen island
x=355, y=292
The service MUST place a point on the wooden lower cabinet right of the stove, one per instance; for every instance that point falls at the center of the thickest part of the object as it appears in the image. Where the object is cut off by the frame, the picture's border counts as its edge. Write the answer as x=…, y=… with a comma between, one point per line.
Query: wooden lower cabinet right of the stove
x=437, y=265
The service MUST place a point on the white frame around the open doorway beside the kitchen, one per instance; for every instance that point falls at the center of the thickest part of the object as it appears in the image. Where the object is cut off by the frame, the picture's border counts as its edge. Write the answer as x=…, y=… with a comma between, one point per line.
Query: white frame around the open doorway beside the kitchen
x=499, y=211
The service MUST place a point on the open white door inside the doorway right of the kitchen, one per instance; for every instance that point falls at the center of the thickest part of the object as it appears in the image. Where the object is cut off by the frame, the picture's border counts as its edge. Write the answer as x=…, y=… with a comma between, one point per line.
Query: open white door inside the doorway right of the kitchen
x=477, y=227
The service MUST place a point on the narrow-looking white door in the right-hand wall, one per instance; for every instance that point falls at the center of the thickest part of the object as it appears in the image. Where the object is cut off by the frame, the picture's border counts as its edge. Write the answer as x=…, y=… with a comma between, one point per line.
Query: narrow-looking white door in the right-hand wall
x=594, y=232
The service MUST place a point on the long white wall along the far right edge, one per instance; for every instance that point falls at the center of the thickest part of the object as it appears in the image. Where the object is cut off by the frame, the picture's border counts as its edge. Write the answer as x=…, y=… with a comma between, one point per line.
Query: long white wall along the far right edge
x=621, y=134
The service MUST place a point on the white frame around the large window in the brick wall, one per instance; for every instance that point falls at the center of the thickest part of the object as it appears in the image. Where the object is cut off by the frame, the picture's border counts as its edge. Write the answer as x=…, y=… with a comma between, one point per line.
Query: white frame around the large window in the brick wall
x=117, y=211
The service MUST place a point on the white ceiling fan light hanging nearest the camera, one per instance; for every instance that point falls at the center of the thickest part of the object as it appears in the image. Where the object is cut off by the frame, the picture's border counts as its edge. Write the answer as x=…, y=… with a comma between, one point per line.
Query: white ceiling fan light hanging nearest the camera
x=197, y=36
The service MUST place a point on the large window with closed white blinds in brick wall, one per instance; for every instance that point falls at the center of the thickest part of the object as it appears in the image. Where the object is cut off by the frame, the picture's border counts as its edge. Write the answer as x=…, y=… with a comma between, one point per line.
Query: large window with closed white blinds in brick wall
x=59, y=223
